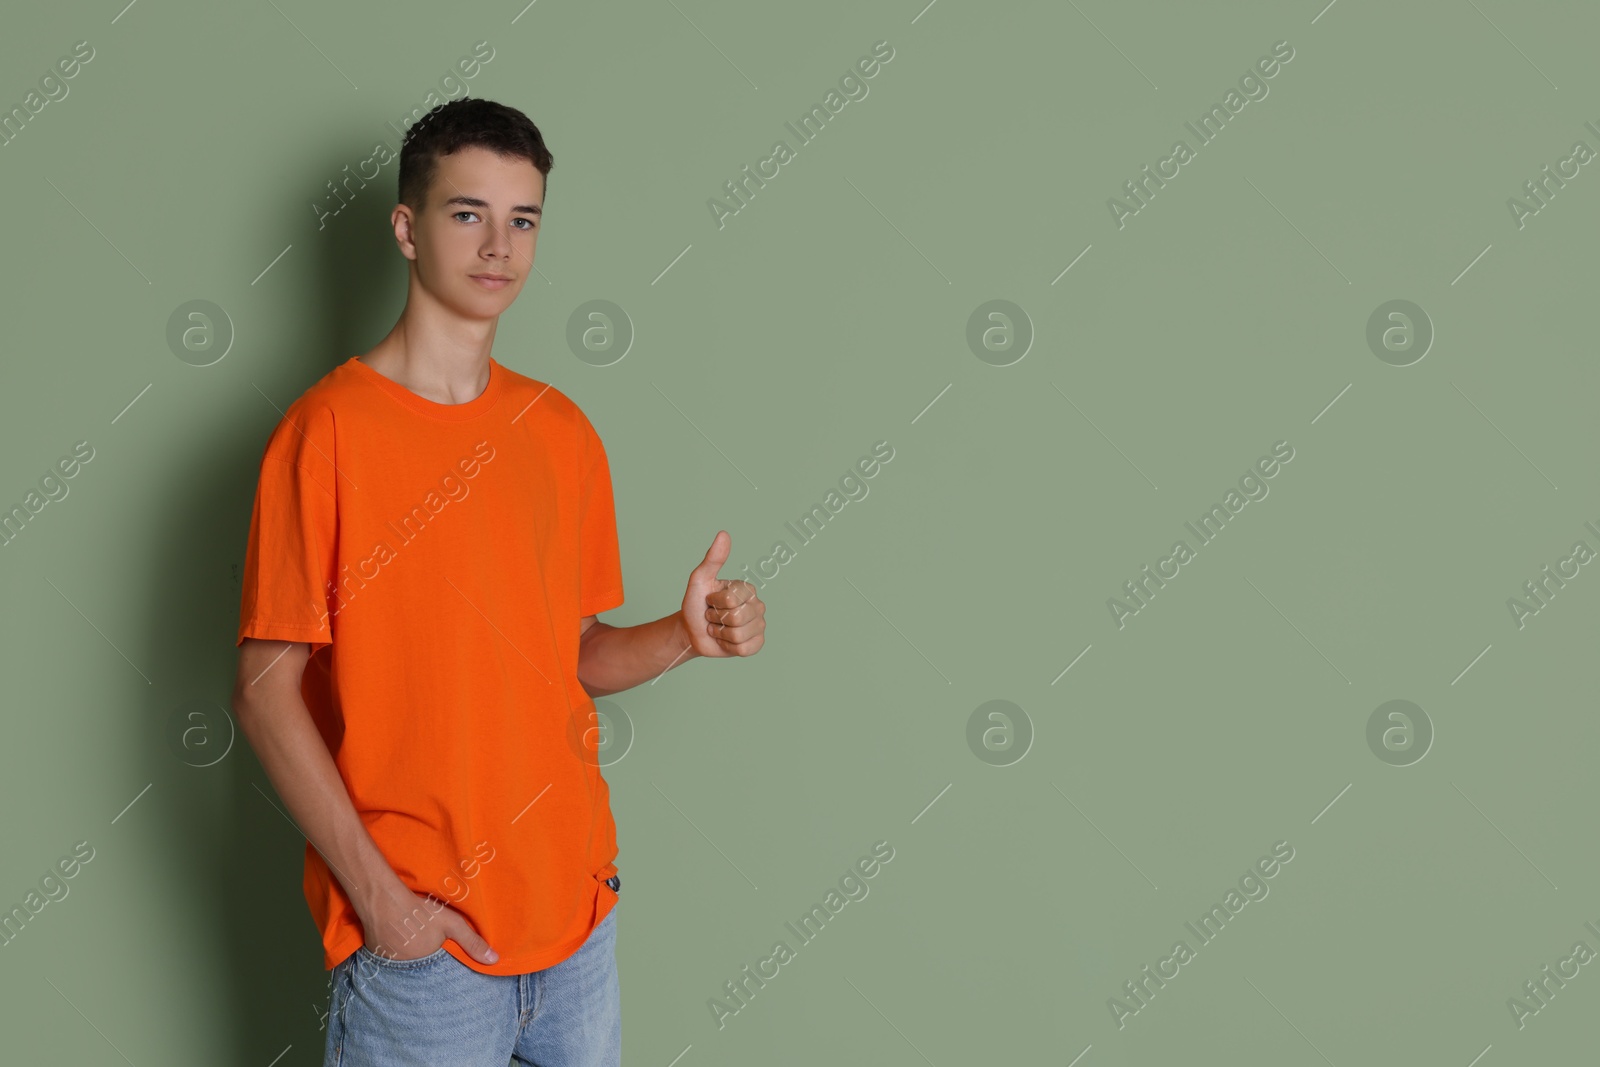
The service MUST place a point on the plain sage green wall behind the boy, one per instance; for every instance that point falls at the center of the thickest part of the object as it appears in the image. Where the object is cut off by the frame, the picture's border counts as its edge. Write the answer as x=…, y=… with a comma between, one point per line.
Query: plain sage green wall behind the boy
x=769, y=354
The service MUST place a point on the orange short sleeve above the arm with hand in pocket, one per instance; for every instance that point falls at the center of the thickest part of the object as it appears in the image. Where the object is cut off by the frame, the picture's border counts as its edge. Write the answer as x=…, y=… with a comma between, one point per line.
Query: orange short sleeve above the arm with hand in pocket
x=294, y=537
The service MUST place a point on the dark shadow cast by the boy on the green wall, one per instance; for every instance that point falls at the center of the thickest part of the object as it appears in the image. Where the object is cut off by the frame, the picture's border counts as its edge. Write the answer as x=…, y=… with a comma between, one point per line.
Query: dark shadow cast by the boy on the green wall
x=234, y=855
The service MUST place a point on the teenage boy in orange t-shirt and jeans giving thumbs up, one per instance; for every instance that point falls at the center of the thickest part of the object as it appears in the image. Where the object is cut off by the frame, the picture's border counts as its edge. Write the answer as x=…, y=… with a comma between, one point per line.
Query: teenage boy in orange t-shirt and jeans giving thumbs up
x=431, y=543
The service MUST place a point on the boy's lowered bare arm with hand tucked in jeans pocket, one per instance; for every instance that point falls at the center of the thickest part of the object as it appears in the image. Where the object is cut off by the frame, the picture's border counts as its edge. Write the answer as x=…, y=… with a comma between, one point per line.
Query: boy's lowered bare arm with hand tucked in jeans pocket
x=279, y=727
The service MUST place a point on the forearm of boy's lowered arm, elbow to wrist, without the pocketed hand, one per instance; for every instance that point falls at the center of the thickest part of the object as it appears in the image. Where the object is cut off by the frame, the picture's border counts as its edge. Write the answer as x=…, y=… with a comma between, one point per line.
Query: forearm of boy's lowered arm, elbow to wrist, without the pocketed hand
x=297, y=761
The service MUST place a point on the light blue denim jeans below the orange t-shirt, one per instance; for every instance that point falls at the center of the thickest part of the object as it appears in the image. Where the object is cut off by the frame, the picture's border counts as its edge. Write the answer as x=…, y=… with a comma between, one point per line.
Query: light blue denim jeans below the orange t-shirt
x=436, y=1012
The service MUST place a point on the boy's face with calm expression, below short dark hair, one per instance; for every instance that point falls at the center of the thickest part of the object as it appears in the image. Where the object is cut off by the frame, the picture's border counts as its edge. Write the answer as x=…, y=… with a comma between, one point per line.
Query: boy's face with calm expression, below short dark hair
x=481, y=223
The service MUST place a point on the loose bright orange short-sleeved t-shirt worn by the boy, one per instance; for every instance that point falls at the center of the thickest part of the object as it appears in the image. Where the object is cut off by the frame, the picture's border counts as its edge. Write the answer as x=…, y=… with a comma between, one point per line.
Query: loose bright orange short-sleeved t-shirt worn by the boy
x=438, y=559
